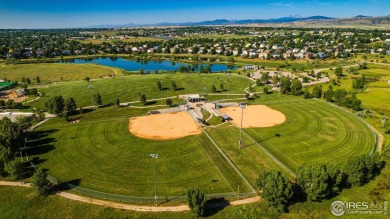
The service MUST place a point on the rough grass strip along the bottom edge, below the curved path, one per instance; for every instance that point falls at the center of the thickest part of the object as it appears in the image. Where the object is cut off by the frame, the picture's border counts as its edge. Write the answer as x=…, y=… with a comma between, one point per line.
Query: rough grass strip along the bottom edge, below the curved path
x=14, y=199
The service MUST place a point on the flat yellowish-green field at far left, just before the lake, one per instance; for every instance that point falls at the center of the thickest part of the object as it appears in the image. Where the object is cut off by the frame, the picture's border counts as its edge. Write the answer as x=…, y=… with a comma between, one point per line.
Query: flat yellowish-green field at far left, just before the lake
x=53, y=72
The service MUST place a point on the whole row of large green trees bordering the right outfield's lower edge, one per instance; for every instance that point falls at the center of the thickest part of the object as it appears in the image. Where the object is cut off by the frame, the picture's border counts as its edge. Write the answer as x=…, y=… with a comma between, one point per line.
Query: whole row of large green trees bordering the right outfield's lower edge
x=317, y=182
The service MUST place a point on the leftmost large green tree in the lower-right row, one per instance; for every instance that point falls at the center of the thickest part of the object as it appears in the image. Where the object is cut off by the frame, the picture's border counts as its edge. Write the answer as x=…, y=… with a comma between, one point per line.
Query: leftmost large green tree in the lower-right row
x=276, y=188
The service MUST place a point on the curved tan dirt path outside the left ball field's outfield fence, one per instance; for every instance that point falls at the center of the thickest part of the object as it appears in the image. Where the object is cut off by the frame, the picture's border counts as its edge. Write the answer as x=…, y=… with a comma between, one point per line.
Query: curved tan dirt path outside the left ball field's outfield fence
x=93, y=201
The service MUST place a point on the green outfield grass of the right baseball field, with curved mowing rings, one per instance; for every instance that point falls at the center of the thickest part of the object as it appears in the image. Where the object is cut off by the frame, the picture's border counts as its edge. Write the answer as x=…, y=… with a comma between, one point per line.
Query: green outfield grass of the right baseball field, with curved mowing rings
x=314, y=132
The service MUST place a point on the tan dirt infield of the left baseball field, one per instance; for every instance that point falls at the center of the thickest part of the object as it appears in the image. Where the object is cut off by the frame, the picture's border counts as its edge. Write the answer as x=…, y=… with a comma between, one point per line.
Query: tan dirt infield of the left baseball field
x=166, y=126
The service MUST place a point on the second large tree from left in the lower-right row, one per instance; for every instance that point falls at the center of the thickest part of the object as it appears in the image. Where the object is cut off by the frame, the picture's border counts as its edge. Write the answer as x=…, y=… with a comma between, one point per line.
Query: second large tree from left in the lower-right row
x=315, y=181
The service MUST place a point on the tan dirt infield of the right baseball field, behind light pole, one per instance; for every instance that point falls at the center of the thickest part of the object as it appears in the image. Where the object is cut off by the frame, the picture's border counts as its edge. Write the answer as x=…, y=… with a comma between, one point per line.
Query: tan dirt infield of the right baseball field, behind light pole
x=254, y=116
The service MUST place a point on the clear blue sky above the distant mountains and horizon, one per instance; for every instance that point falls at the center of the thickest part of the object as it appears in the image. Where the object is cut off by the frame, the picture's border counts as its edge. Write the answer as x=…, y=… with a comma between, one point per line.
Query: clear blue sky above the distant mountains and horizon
x=82, y=13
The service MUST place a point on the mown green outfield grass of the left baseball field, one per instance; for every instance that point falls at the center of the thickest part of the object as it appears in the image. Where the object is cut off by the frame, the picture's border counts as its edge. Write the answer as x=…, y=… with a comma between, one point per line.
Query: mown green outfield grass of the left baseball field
x=100, y=153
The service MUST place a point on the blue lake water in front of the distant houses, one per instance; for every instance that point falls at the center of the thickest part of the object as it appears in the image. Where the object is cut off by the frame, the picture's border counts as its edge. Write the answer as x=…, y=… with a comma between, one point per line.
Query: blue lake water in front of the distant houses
x=151, y=65
